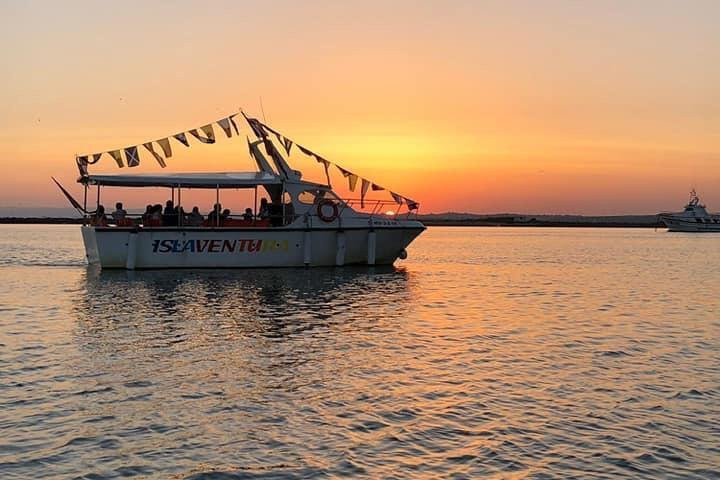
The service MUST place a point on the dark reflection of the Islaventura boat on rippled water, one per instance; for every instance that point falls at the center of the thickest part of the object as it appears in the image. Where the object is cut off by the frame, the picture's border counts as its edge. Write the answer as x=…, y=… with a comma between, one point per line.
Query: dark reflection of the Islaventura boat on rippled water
x=263, y=302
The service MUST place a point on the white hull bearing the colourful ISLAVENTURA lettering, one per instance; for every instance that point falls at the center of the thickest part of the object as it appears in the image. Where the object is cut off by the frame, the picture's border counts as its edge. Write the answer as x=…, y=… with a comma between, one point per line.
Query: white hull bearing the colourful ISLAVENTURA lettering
x=151, y=248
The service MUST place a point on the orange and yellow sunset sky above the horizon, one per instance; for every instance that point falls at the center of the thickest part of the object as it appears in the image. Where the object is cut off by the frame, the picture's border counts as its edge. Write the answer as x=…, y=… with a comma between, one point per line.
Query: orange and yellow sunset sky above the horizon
x=586, y=107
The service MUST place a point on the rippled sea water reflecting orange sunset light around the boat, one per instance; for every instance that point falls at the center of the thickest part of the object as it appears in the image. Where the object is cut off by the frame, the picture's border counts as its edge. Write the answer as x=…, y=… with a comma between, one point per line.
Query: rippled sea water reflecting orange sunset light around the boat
x=489, y=353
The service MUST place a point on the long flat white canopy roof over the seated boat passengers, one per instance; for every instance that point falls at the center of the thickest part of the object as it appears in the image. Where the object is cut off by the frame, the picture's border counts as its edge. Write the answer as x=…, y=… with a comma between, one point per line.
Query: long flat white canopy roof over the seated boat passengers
x=188, y=180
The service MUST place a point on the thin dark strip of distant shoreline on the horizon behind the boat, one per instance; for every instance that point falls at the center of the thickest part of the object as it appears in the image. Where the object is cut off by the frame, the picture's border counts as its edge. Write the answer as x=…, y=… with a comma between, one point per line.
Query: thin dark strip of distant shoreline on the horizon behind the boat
x=429, y=223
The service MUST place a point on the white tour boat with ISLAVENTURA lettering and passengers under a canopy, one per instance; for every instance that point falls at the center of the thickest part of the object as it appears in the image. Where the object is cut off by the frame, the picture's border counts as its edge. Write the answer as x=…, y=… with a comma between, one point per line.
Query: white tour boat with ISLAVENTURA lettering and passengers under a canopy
x=305, y=223
